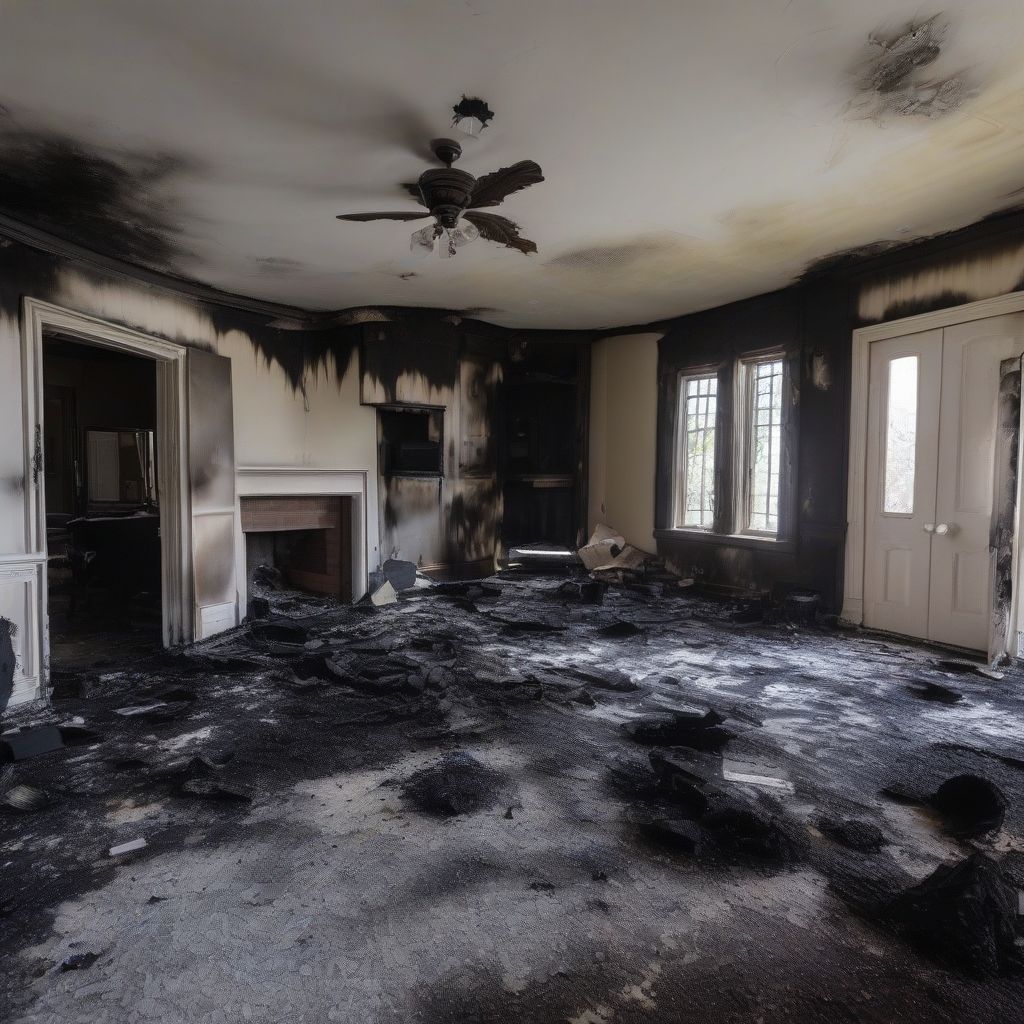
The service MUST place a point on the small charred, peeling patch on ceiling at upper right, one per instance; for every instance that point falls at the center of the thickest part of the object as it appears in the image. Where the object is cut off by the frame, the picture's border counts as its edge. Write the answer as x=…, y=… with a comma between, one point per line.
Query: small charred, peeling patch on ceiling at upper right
x=895, y=77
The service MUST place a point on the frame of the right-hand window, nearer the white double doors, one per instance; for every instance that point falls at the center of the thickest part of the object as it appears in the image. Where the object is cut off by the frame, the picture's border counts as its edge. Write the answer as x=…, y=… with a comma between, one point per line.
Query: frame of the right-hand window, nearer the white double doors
x=743, y=444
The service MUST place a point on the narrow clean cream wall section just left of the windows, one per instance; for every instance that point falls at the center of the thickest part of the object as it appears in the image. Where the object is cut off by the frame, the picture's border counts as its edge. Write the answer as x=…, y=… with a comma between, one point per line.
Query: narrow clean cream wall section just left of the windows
x=623, y=436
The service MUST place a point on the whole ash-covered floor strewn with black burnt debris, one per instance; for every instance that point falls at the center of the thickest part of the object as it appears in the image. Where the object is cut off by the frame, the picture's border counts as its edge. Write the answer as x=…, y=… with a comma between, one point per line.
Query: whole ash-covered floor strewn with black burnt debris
x=483, y=805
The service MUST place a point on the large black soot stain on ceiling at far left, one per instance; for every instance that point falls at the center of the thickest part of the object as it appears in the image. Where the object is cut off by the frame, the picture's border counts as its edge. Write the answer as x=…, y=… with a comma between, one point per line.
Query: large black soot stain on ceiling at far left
x=115, y=203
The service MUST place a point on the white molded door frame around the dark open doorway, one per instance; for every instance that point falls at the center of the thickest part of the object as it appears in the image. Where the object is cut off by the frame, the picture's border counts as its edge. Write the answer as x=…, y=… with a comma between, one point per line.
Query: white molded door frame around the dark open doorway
x=39, y=318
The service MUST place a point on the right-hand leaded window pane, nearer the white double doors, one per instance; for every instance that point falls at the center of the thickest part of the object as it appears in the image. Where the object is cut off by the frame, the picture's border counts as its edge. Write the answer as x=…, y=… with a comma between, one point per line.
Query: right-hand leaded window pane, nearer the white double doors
x=761, y=383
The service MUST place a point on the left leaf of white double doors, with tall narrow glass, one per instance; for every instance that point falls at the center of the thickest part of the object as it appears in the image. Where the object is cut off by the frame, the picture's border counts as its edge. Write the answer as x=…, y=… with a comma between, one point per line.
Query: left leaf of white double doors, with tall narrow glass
x=903, y=459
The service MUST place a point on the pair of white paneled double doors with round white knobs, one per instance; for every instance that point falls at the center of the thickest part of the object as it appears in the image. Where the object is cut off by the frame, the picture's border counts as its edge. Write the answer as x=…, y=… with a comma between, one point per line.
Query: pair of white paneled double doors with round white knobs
x=931, y=473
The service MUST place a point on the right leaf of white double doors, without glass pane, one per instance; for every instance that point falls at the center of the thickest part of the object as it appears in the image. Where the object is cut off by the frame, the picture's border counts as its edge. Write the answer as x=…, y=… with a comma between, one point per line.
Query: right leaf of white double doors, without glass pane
x=961, y=592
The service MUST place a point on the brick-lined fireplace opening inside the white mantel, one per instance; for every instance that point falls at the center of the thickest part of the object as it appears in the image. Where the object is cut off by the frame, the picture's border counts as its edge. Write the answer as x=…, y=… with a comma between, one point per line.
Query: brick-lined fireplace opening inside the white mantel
x=308, y=538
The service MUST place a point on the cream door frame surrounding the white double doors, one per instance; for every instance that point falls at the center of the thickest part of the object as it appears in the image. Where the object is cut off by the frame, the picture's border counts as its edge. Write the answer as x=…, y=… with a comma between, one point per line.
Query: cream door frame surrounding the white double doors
x=854, y=576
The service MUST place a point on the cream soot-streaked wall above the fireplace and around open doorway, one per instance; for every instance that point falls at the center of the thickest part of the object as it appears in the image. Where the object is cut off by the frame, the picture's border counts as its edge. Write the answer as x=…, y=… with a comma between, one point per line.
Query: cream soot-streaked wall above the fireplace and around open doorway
x=321, y=428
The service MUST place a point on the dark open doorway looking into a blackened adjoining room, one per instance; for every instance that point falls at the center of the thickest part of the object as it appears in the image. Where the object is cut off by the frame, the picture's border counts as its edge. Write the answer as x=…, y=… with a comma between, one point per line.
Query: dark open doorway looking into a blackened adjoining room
x=103, y=515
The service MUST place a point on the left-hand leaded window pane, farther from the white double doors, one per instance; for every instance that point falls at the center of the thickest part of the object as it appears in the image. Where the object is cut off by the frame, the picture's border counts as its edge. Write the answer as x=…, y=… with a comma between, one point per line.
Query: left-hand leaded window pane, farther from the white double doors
x=696, y=446
